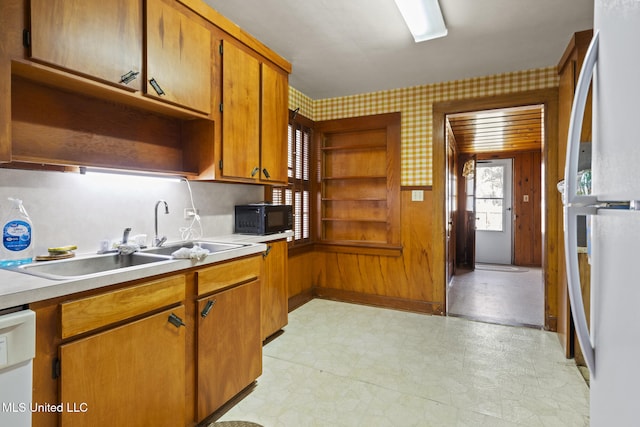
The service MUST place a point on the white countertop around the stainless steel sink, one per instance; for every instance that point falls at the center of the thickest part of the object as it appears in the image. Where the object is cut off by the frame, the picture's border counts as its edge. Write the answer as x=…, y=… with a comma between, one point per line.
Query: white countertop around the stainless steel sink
x=19, y=288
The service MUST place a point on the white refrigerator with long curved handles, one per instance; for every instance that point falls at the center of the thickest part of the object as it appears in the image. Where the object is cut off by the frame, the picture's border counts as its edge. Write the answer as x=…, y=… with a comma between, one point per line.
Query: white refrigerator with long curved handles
x=612, y=345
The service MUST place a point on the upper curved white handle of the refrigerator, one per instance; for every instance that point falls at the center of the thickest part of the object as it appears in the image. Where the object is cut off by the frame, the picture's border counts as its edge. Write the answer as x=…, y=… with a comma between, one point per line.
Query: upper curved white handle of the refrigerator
x=575, y=127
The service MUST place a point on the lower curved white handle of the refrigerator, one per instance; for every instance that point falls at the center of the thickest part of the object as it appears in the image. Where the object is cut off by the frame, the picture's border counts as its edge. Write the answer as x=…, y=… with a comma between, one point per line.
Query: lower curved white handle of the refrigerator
x=571, y=214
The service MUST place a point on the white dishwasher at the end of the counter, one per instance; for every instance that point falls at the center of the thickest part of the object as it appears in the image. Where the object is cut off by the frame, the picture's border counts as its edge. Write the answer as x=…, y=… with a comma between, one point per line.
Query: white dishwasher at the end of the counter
x=17, y=350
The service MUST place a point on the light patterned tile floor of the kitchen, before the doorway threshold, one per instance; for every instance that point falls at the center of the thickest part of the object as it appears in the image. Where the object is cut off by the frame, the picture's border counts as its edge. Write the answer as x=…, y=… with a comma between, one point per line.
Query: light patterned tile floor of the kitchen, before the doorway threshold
x=341, y=364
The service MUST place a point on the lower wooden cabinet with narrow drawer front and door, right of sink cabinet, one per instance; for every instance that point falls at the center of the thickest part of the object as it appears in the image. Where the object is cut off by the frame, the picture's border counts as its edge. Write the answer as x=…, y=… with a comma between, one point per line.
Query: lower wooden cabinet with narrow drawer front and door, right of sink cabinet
x=229, y=356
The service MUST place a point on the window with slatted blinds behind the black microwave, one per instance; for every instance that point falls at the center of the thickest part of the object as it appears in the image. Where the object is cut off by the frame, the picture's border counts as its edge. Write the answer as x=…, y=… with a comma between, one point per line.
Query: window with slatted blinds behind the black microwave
x=298, y=192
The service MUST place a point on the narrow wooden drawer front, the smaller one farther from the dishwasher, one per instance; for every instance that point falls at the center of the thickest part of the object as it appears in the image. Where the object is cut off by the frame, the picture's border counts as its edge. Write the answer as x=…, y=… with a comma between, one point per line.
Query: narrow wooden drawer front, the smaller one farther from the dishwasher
x=228, y=274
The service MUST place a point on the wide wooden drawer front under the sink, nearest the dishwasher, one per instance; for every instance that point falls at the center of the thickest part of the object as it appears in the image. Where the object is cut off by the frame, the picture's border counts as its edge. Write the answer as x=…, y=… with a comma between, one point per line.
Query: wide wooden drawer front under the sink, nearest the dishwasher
x=100, y=310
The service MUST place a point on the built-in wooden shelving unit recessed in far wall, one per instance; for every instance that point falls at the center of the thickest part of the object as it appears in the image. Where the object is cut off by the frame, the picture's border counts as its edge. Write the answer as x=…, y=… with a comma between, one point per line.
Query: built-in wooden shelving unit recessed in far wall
x=359, y=182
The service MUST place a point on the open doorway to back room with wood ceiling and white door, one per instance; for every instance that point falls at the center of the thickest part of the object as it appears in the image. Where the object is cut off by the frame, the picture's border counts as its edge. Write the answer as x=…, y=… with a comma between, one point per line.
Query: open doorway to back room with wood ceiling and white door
x=503, y=281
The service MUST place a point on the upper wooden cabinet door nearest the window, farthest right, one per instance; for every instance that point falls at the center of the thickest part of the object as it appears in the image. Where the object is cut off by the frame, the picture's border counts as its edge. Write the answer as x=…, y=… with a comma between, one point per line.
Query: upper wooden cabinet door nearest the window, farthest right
x=275, y=117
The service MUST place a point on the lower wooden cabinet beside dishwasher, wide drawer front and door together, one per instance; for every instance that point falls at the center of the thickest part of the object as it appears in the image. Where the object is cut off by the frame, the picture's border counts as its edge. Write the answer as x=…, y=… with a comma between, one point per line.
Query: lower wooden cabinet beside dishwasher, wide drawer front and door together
x=110, y=365
